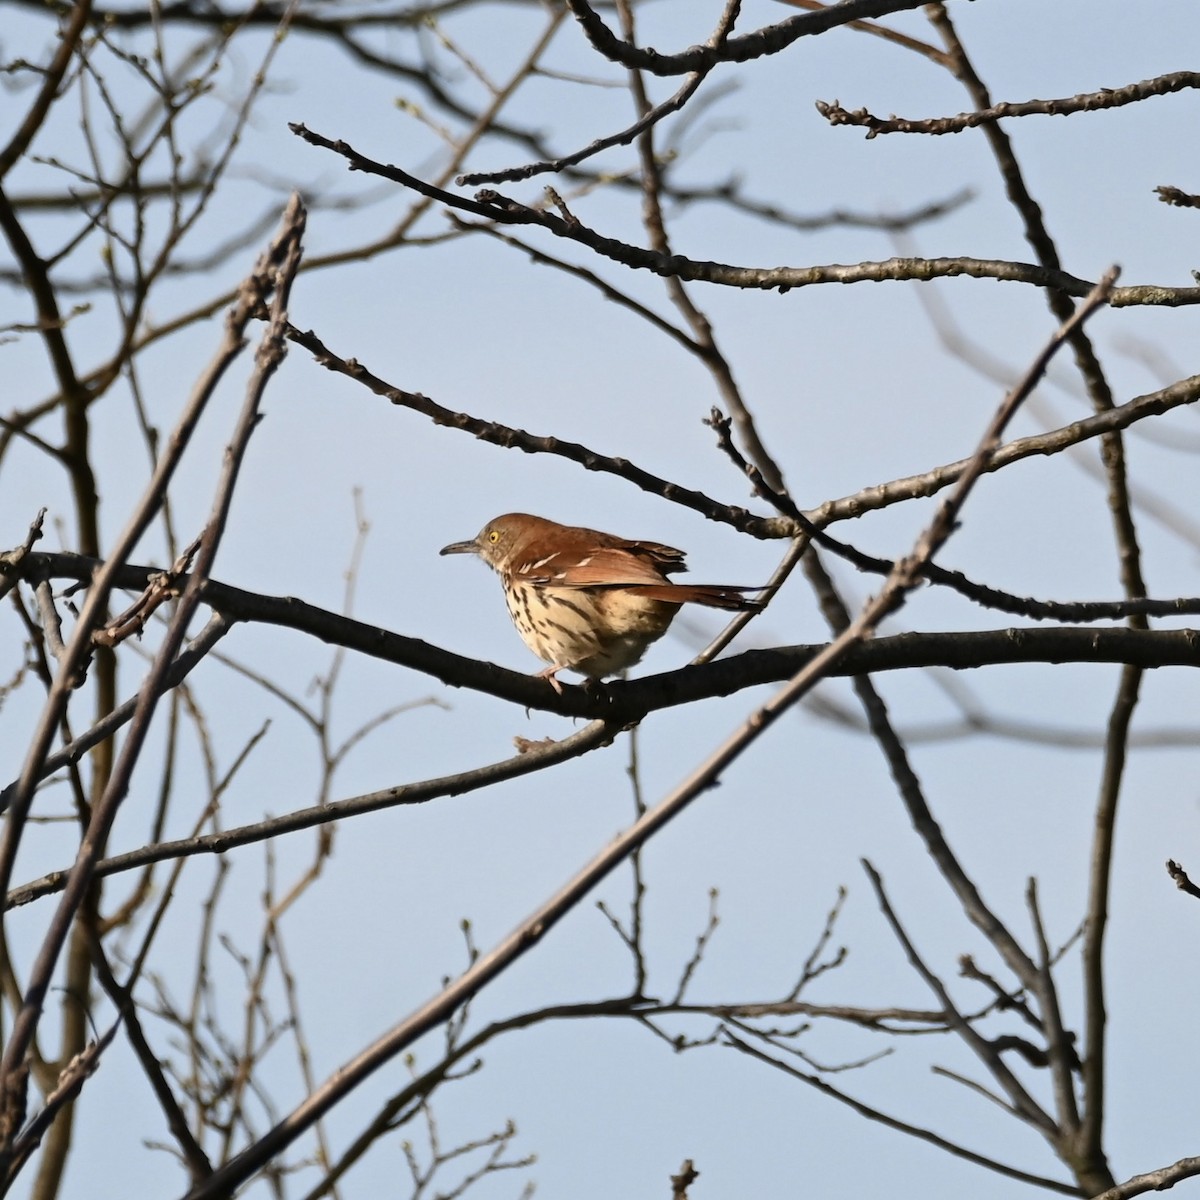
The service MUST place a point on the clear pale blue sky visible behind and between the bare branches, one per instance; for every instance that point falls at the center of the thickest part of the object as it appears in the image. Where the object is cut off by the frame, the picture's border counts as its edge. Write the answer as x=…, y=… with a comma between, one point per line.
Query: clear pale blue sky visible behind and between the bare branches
x=851, y=388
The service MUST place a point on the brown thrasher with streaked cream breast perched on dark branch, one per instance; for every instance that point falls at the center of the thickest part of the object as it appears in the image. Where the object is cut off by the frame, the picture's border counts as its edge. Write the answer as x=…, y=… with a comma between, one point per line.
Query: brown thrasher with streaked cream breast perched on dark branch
x=585, y=601
